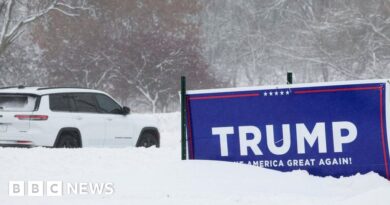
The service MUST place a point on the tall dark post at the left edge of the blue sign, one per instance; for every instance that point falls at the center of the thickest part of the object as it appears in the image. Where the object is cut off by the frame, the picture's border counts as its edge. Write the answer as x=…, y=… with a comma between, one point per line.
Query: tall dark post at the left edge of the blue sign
x=183, y=119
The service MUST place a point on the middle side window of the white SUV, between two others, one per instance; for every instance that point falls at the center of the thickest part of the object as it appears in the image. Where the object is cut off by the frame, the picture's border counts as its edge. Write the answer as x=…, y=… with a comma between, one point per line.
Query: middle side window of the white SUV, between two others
x=85, y=102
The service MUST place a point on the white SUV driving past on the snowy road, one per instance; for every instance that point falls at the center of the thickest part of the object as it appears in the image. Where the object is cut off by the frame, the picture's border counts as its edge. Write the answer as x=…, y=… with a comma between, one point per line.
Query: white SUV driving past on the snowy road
x=70, y=117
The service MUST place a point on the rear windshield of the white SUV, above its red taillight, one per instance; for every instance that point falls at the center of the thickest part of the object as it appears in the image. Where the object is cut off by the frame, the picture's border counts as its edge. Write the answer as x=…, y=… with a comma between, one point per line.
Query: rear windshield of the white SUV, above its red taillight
x=17, y=102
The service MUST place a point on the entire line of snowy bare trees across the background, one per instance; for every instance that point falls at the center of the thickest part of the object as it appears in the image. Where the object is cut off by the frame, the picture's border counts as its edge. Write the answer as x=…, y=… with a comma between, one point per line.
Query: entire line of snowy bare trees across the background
x=137, y=50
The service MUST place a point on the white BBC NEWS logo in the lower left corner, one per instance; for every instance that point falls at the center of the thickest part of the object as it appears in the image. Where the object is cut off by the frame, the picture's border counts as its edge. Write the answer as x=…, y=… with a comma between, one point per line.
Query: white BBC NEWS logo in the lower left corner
x=58, y=188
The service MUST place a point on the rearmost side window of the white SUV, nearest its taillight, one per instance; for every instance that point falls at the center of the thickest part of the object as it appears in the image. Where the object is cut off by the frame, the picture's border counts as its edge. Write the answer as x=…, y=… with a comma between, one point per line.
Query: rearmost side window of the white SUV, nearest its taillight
x=61, y=102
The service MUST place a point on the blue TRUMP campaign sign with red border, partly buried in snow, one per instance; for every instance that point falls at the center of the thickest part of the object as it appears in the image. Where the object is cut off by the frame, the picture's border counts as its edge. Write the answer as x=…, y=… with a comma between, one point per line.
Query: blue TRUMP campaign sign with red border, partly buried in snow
x=337, y=130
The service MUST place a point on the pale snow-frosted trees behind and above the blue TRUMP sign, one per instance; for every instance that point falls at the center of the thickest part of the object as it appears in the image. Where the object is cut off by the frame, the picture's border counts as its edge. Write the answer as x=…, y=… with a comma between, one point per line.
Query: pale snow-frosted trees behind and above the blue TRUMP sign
x=257, y=42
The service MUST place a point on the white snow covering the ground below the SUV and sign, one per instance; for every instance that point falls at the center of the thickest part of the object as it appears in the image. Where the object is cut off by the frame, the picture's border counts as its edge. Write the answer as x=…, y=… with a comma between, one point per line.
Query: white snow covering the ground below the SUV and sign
x=158, y=176
